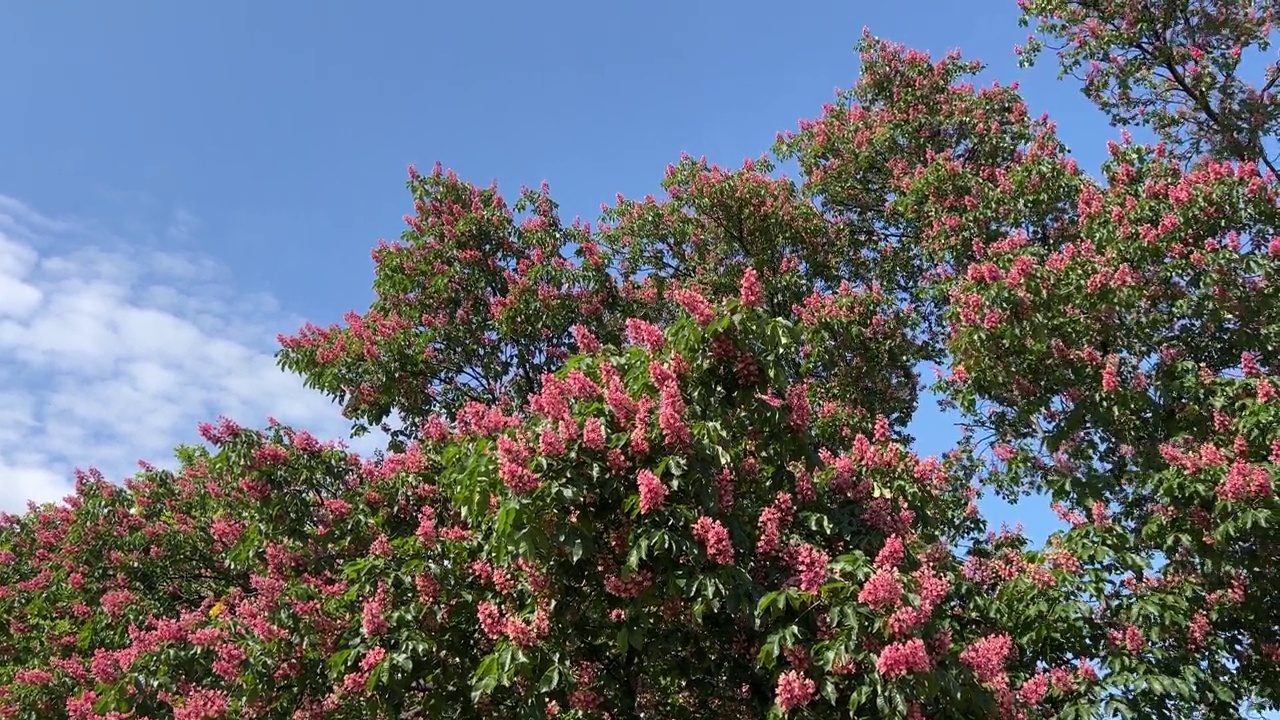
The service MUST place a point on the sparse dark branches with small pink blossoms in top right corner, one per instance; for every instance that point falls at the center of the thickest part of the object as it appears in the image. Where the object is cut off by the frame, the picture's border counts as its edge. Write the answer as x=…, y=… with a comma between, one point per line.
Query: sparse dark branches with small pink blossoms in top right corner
x=1194, y=71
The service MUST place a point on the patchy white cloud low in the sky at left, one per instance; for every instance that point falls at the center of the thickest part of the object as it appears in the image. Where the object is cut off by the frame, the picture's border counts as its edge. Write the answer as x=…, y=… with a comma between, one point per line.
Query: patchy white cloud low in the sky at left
x=112, y=353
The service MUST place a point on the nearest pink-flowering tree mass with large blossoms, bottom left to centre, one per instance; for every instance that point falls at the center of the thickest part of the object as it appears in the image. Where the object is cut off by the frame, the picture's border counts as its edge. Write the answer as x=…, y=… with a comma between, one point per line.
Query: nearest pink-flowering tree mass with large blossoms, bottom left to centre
x=647, y=500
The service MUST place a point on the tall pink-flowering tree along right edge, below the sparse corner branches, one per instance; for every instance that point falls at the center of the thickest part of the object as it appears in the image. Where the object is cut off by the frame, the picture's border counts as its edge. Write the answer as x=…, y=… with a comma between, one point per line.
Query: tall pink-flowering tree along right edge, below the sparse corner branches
x=1150, y=416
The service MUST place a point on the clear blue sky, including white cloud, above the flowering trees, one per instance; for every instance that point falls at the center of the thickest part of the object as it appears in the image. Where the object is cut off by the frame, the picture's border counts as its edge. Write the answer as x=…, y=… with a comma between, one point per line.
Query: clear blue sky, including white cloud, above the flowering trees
x=181, y=181
